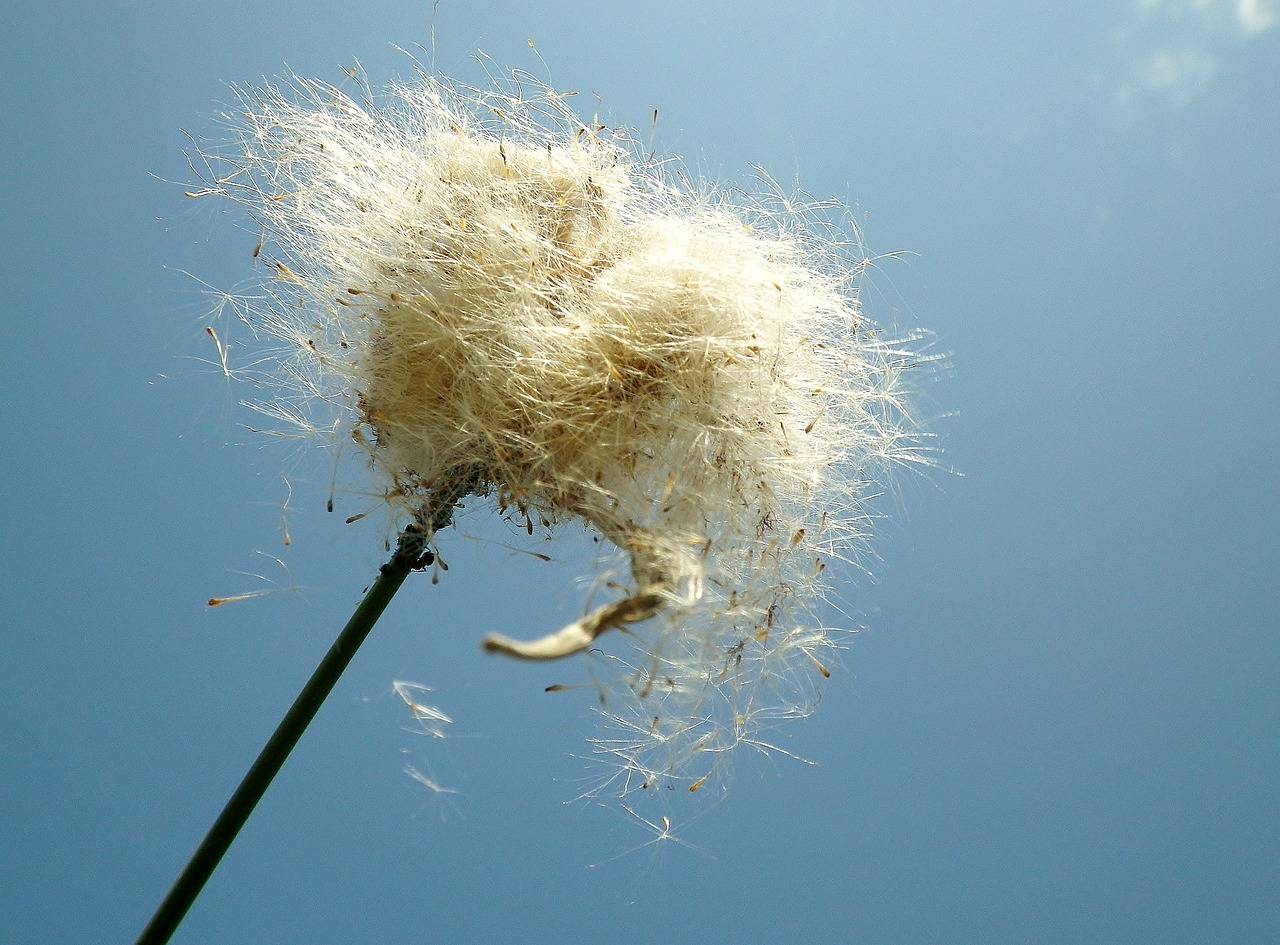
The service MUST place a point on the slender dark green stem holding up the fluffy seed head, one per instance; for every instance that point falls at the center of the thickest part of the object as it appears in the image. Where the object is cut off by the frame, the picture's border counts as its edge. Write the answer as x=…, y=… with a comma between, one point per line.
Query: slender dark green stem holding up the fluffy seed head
x=409, y=554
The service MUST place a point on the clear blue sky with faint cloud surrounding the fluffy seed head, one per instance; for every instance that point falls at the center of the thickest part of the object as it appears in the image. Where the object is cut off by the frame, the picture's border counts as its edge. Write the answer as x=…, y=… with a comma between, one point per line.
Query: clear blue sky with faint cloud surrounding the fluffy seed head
x=1062, y=720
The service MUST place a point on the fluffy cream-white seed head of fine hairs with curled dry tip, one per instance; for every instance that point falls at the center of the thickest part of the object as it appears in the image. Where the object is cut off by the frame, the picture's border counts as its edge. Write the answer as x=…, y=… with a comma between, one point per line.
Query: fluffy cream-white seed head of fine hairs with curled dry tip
x=495, y=299
